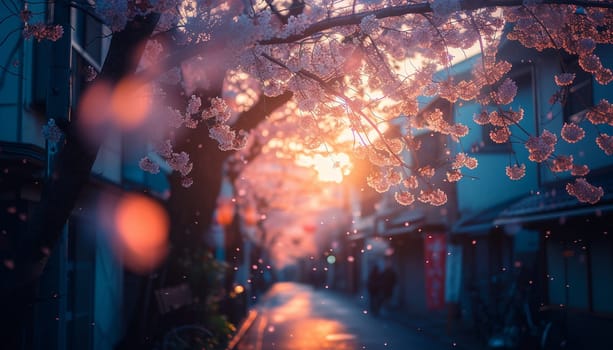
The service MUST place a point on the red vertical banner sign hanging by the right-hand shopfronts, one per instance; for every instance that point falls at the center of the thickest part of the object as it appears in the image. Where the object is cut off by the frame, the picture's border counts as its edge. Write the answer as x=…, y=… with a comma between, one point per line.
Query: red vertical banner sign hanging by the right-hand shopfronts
x=435, y=252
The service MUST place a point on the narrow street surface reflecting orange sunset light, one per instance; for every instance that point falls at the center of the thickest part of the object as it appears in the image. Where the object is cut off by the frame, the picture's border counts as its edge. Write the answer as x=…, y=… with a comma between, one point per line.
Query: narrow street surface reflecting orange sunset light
x=296, y=316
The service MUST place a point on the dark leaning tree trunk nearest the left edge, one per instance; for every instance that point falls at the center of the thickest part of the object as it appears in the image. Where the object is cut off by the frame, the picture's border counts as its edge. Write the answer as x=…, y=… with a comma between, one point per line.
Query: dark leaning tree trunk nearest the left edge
x=70, y=175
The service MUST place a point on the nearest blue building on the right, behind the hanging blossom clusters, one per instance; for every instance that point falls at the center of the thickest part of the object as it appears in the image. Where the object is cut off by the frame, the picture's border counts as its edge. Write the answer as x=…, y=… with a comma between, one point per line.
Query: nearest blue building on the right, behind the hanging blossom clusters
x=530, y=234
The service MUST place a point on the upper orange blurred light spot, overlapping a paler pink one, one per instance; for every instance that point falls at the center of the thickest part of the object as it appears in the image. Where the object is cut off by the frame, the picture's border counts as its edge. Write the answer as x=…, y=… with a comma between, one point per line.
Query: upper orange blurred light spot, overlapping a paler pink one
x=130, y=103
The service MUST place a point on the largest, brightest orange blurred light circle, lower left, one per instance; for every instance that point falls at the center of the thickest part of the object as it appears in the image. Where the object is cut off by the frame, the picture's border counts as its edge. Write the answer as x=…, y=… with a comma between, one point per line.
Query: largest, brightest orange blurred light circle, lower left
x=142, y=232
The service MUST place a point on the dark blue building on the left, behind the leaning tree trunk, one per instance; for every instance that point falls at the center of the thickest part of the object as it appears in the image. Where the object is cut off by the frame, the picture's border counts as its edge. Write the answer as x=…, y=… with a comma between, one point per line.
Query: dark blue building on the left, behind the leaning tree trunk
x=84, y=297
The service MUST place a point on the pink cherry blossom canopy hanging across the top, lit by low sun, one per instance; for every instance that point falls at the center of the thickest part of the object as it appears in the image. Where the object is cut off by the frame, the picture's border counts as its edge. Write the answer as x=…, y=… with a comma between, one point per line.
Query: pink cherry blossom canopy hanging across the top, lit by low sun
x=351, y=77
